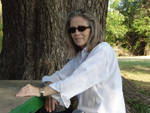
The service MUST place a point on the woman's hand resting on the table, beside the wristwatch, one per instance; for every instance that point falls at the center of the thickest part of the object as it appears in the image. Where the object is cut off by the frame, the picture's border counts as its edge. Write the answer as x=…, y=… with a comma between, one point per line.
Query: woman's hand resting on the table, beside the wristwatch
x=29, y=90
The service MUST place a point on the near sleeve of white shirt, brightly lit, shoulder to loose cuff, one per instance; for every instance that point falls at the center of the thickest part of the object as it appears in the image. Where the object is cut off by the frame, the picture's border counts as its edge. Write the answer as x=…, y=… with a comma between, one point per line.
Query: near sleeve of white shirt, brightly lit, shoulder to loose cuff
x=92, y=71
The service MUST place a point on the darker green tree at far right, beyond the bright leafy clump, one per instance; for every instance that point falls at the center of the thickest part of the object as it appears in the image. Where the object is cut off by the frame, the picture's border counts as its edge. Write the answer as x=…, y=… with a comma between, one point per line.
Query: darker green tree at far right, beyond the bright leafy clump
x=136, y=16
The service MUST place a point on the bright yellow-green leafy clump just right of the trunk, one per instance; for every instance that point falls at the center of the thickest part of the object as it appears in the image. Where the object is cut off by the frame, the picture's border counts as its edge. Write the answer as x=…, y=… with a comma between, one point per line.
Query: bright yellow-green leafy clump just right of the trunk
x=115, y=28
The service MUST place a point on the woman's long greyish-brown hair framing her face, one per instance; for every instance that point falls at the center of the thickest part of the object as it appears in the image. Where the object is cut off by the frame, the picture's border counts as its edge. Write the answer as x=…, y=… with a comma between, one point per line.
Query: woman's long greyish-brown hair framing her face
x=95, y=35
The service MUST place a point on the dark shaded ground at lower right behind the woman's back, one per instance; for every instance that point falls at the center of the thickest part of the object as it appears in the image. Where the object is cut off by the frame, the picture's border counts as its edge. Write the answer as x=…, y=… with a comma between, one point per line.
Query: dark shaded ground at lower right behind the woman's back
x=137, y=95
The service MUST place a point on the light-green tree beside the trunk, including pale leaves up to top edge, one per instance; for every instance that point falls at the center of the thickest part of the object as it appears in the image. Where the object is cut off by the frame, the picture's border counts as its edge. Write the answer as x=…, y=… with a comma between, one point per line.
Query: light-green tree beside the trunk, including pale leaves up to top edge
x=115, y=28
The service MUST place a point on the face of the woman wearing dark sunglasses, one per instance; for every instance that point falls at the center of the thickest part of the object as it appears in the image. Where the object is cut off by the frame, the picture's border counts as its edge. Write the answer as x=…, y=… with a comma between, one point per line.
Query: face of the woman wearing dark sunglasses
x=80, y=31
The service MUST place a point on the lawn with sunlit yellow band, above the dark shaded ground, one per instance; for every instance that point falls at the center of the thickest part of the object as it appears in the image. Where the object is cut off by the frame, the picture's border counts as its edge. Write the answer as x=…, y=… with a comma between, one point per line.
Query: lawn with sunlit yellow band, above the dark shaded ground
x=136, y=70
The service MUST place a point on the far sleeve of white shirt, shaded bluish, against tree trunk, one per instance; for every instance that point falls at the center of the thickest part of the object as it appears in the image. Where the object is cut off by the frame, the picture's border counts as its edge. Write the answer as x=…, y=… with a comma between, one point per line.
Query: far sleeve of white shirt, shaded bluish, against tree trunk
x=61, y=74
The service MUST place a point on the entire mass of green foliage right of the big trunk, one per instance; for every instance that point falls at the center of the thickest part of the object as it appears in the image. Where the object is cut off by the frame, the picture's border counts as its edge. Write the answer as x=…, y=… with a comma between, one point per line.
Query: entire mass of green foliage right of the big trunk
x=133, y=22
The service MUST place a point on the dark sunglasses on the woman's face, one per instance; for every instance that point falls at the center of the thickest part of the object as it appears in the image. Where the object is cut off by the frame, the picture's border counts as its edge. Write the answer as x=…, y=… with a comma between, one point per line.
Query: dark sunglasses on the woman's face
x=79, y=28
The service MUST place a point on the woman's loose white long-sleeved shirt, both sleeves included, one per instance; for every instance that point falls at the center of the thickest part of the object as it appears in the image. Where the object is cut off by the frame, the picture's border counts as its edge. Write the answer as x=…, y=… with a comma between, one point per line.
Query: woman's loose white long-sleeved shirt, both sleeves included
x=94, y=77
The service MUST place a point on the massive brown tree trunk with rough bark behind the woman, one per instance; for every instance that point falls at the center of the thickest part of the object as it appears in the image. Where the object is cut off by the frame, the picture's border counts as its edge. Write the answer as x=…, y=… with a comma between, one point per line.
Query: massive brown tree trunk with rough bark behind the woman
x=34, y=42
